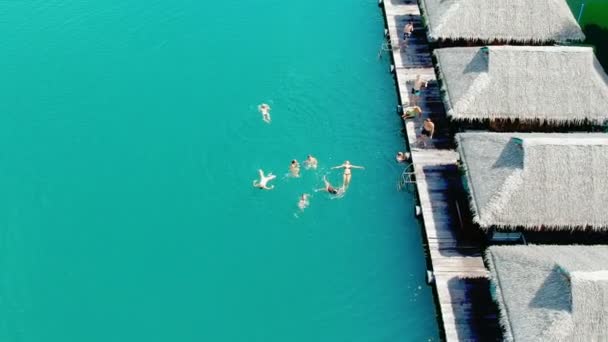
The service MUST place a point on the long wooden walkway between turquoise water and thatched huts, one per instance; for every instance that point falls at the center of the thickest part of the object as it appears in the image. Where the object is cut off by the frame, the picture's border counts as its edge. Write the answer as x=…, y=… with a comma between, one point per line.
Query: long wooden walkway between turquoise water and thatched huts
x=467, y=312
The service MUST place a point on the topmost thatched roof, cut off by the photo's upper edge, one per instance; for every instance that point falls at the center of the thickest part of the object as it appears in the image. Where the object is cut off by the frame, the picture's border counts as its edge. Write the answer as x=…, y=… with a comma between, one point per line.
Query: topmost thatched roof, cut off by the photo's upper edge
x=521, y=21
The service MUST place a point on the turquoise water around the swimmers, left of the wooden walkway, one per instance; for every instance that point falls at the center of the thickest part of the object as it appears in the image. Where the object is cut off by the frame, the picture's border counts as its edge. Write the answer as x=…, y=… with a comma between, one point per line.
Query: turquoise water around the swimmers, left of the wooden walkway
x=130, y=139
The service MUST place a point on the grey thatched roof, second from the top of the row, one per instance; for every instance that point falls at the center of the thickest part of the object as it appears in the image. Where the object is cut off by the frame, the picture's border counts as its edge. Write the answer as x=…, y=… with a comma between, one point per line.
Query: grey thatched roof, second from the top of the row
x=553, y=84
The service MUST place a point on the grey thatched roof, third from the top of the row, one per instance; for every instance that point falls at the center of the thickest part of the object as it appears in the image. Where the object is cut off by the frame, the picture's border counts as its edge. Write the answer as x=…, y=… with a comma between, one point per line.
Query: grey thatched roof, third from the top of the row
x=537, y=181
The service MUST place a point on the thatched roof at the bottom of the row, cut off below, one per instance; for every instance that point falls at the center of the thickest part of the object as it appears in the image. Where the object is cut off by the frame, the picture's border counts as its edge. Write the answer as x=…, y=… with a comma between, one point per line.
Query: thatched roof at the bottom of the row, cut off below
x=551, y=293
